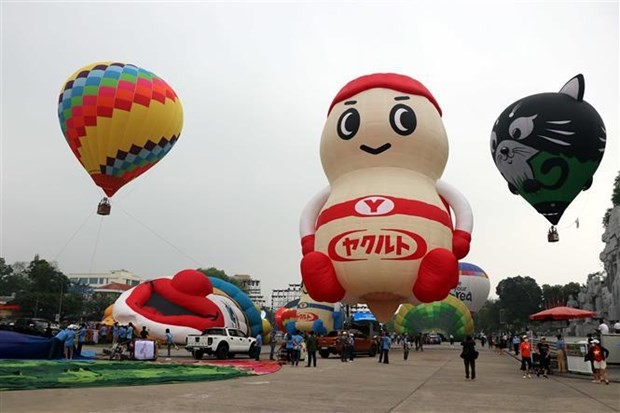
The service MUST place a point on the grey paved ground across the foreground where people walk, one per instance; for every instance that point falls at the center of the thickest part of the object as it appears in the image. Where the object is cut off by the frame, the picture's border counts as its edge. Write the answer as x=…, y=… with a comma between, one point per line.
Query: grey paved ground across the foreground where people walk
x=432, y=381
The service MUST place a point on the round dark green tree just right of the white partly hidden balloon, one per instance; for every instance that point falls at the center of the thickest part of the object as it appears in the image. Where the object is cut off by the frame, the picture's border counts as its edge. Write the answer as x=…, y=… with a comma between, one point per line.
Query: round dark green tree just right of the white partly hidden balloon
x=519, y=297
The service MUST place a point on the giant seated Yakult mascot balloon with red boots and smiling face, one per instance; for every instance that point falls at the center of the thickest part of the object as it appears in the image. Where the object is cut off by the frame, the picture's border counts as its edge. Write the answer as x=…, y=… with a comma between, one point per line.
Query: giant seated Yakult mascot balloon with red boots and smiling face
x=381, y=233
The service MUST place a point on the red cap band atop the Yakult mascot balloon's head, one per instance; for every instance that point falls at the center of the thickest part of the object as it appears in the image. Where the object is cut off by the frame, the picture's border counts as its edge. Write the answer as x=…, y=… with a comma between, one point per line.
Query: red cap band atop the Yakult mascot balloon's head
x=392, y=81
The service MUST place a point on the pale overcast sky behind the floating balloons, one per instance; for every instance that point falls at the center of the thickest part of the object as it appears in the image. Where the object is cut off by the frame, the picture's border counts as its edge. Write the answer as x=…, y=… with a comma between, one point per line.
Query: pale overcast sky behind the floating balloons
x=256, y=80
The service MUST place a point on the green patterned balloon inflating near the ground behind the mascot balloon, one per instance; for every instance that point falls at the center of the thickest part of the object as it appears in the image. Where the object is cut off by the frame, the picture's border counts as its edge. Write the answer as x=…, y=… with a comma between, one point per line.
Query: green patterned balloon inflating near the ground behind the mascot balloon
x=449, y=316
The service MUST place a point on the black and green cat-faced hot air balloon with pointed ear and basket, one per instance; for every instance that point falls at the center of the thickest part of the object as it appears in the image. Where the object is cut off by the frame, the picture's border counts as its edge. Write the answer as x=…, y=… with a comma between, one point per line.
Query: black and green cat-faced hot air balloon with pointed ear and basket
x=547, y=147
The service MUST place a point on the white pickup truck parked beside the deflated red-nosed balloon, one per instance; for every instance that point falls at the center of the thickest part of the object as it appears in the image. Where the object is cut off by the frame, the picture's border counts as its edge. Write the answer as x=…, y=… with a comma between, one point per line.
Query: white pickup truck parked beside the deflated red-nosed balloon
x=222, y=342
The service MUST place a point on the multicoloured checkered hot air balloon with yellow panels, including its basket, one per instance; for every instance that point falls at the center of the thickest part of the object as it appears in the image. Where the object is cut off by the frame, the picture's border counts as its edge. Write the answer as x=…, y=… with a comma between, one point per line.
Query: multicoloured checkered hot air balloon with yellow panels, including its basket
x=119, y=120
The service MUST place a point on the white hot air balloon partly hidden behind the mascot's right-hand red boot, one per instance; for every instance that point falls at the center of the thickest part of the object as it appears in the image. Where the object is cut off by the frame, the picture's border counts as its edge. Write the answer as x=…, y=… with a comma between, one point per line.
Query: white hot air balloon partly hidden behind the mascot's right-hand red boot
x=474, y=286
